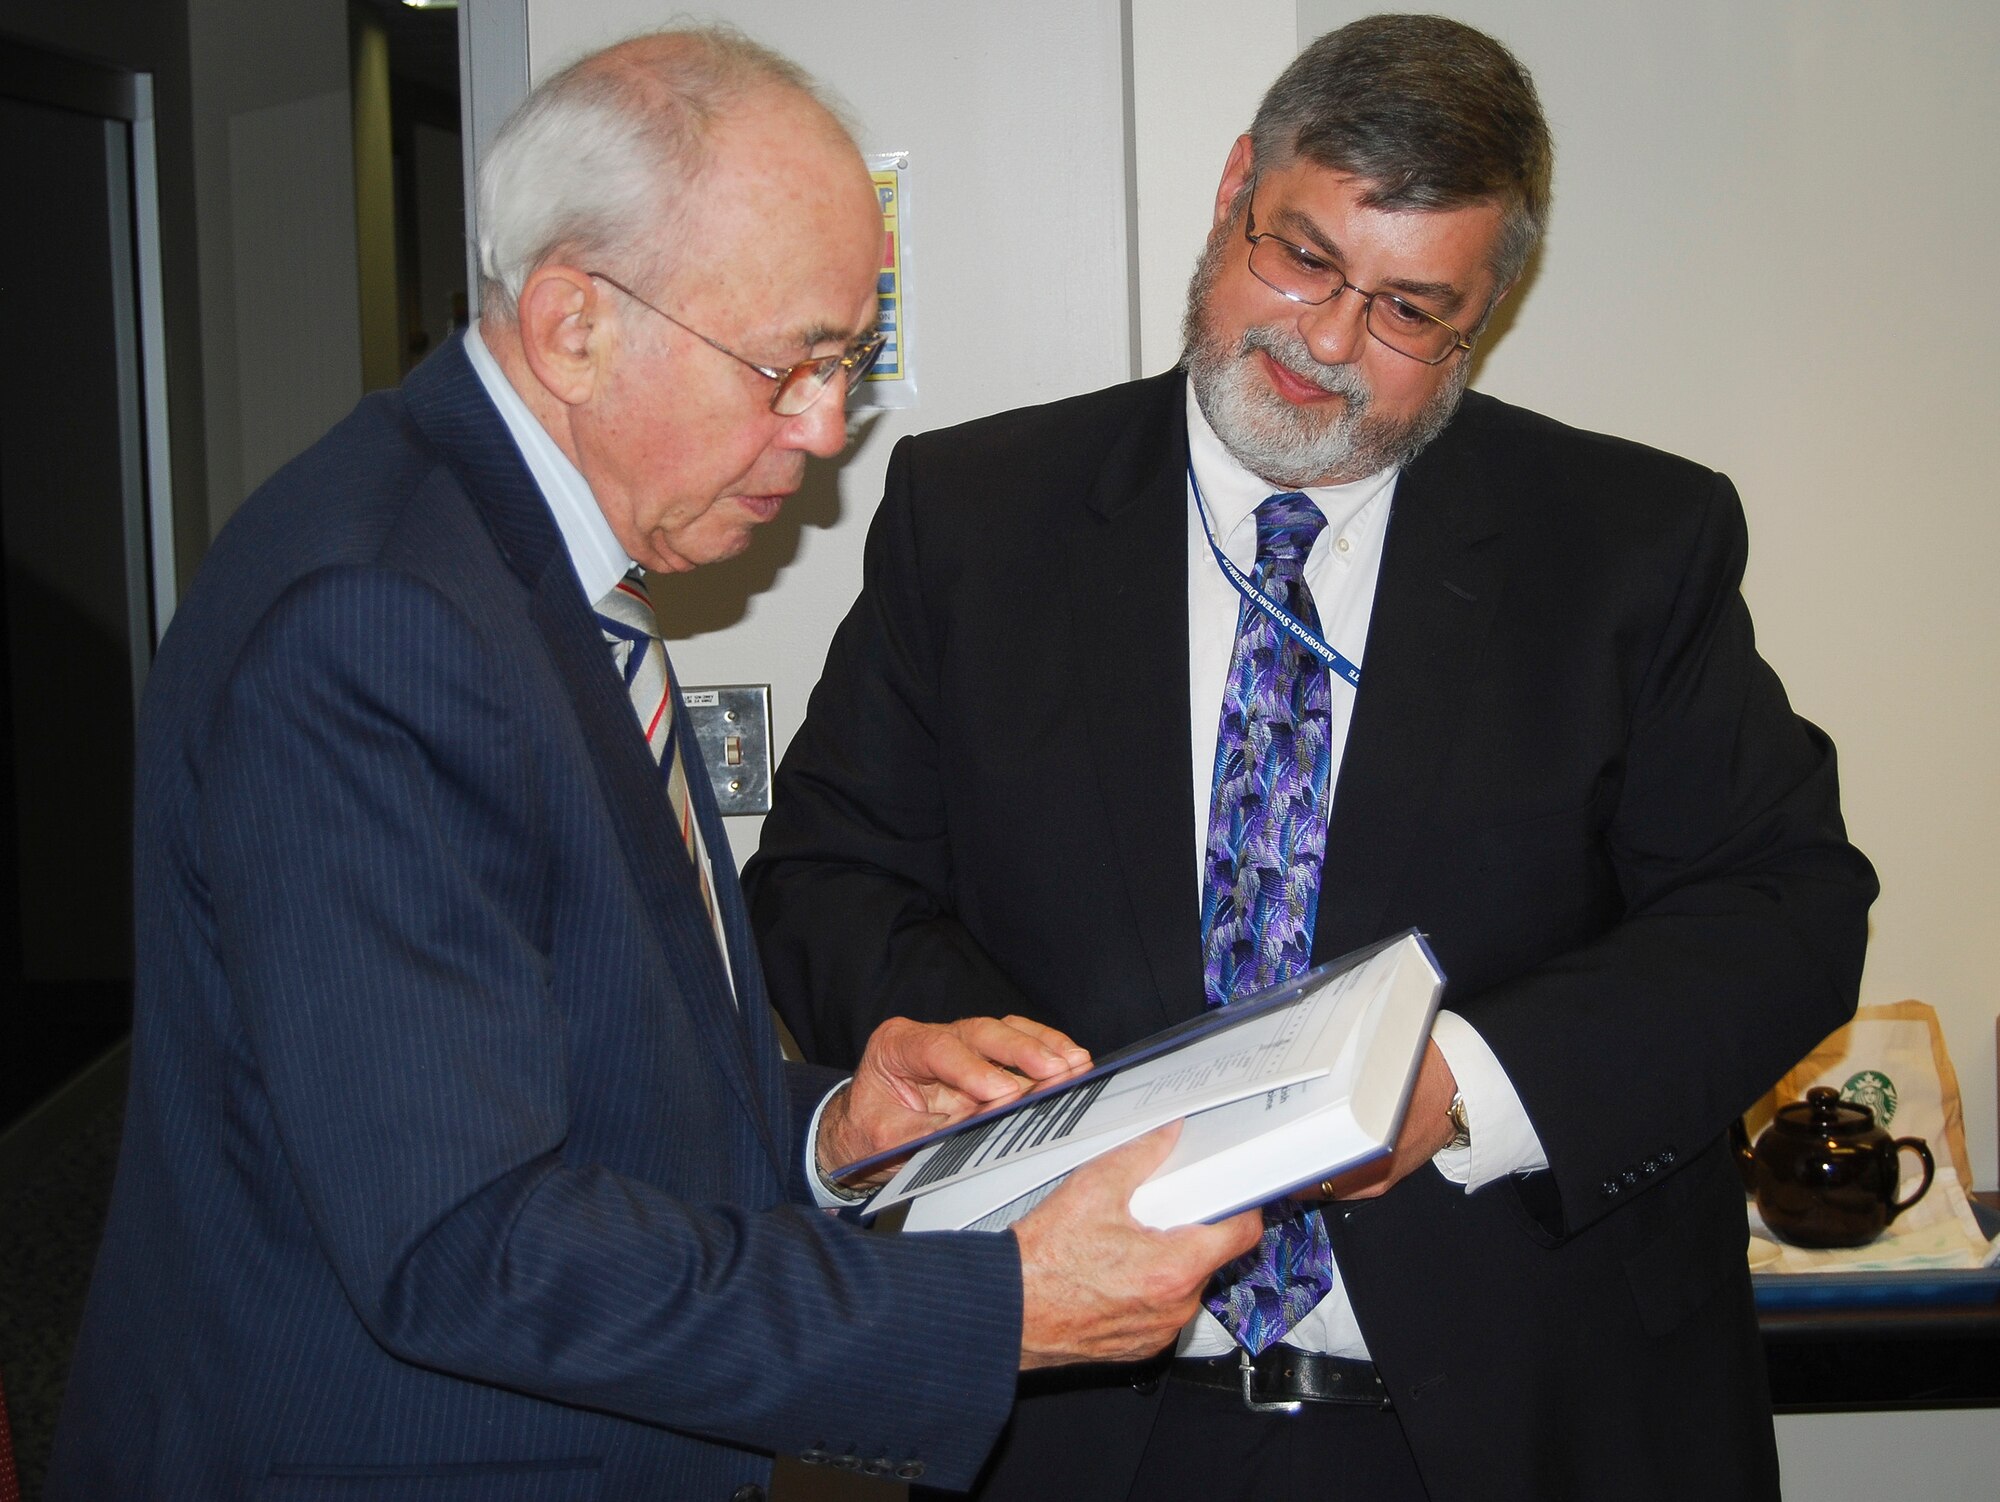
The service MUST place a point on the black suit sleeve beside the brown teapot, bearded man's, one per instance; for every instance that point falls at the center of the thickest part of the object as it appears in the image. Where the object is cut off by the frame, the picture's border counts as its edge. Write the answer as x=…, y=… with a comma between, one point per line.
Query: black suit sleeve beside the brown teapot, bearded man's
x=1743, y=911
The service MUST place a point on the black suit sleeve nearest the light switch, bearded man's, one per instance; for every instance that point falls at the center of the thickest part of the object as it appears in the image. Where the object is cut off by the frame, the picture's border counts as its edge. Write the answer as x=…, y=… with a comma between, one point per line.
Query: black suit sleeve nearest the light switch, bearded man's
x=851, y=889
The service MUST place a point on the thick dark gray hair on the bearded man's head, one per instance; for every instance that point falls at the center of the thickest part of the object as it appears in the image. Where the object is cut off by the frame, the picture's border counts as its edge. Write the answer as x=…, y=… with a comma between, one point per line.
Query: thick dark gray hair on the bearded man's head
x=1429, y=113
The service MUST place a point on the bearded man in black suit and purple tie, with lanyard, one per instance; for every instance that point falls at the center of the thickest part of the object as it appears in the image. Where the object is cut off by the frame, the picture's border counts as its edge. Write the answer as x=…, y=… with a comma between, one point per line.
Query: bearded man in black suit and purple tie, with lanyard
x=1167, y=693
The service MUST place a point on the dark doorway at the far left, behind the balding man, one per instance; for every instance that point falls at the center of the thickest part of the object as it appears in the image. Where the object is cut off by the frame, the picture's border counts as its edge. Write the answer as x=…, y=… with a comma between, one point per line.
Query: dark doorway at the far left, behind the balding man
x=83, y=517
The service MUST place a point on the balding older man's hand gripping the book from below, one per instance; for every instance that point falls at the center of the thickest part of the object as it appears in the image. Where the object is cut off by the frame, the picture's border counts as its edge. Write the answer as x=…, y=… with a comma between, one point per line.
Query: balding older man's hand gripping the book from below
x=1097, y=1287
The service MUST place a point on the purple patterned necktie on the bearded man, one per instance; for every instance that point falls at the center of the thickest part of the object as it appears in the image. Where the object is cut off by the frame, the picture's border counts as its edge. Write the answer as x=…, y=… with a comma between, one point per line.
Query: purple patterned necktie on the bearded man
x=1261, y=891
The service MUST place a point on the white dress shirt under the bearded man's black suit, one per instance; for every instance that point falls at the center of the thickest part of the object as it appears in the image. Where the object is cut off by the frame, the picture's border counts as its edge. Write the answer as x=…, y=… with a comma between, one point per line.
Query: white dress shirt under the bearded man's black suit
x=1341, y=571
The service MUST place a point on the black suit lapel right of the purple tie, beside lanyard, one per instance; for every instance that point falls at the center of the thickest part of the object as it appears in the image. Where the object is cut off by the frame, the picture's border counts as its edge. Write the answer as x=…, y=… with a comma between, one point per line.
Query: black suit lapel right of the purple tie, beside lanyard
x=1435, y=603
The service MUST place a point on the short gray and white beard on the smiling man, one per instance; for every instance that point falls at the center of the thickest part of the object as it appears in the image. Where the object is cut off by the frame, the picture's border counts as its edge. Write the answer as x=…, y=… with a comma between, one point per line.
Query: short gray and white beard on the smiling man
x=1281, y=443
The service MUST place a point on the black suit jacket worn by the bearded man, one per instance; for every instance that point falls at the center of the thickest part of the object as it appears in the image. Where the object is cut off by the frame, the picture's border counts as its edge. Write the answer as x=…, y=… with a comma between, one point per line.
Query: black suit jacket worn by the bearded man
x=1567, y=767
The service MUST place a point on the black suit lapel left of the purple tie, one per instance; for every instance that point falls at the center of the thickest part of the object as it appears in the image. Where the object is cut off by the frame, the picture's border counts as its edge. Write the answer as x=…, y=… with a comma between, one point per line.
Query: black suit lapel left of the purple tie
x=1129, y=595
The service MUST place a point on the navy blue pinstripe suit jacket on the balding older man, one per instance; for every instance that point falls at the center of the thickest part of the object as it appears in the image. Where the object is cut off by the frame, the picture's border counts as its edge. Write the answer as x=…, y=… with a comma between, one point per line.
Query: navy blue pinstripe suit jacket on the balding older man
x=453, y=1169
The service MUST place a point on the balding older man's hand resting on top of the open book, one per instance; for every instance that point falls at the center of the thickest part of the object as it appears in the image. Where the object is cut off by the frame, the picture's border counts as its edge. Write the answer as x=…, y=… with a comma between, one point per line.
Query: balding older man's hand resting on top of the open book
x=921, y=1077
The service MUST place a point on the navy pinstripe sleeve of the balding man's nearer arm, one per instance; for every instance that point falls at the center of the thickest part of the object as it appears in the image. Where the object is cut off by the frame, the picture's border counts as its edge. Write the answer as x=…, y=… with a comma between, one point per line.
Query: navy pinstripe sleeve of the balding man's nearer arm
x=371, y=835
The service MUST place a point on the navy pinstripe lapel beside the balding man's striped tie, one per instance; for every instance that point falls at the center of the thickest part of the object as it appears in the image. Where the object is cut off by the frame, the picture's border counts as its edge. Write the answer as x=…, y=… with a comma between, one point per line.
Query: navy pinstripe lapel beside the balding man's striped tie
x=451, y=407
